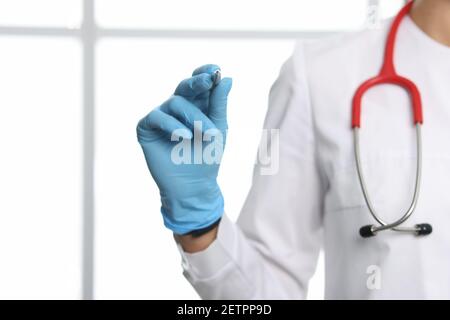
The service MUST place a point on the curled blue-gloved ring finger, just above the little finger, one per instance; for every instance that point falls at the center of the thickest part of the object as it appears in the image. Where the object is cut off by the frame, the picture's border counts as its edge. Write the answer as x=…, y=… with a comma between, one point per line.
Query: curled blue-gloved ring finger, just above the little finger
x=187, y=113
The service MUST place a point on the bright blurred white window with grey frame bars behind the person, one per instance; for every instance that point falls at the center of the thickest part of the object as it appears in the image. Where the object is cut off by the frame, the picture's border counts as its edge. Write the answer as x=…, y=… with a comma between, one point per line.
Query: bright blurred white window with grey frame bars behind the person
x=79, y=212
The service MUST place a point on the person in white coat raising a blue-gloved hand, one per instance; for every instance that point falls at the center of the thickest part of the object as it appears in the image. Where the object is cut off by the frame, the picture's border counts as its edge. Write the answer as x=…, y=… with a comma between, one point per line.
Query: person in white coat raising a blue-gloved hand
x=315, y=199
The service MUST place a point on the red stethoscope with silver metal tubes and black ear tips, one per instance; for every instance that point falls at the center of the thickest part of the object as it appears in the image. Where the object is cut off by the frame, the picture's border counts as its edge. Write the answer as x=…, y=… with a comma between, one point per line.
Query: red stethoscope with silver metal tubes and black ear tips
x=388, y=75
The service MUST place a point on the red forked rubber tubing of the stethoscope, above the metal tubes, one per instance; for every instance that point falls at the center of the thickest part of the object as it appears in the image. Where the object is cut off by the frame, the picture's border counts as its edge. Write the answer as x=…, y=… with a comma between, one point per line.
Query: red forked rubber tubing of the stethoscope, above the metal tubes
x=388, y=75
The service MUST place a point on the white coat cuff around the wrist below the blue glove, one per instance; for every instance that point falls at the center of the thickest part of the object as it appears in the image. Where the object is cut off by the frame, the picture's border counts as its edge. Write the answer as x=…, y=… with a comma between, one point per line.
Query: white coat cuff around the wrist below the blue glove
x=211, y=261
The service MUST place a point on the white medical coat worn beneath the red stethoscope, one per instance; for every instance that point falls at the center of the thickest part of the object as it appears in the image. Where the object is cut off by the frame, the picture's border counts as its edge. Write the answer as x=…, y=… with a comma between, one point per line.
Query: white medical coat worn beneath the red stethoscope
x=315, y=199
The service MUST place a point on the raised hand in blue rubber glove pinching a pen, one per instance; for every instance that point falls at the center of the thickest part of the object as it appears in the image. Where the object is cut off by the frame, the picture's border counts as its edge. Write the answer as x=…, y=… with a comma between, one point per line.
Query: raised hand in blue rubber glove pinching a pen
x=190, y=196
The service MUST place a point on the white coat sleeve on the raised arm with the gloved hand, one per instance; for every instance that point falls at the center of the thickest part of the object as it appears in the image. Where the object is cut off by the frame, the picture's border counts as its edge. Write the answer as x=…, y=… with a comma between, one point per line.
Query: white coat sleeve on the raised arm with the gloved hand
x=272, y=250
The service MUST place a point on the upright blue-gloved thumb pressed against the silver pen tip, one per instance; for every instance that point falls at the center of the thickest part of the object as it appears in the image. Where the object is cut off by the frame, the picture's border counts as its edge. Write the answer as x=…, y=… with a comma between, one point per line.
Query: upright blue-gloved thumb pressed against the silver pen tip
x=218, y=103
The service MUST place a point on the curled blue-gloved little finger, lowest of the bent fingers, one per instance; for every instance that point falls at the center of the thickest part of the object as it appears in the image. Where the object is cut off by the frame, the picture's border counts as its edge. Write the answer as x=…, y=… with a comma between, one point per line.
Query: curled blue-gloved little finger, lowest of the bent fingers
x=160, y=121
